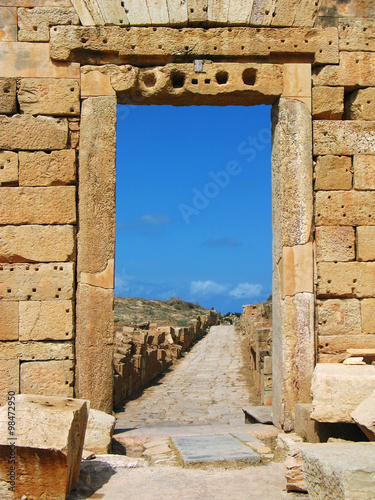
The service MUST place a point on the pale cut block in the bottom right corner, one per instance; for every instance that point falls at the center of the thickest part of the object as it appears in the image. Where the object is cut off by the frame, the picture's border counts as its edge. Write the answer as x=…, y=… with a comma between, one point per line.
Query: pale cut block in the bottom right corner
x=341, y=471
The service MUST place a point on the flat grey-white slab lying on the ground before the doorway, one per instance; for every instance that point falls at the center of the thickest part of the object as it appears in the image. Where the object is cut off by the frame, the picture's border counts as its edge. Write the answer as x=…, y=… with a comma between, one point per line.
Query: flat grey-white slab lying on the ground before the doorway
x=214, y=448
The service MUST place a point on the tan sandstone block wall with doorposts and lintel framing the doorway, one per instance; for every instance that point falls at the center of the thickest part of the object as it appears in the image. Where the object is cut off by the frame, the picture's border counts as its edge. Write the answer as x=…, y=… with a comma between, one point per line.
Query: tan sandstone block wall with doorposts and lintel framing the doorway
x=63, y=67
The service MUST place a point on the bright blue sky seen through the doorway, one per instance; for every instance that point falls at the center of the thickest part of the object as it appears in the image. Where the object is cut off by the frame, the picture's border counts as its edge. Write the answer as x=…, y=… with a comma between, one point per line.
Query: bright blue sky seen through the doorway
x=193, y=204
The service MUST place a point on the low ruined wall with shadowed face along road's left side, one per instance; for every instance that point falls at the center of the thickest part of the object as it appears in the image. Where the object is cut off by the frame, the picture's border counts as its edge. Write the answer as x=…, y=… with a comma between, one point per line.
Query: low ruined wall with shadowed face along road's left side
x=144, y=353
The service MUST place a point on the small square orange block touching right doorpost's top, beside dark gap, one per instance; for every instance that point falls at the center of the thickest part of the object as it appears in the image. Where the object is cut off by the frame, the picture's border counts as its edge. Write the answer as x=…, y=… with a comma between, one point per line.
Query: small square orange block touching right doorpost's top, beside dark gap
x=327, y=103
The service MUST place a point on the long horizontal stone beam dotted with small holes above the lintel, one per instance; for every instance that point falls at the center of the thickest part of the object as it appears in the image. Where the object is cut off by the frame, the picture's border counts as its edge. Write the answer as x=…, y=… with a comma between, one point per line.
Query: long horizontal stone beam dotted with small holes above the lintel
x=87, y=45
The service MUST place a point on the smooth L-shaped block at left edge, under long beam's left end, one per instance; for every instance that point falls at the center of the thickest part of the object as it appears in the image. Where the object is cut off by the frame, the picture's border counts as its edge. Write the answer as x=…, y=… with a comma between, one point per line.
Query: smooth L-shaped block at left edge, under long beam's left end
x=30, y=60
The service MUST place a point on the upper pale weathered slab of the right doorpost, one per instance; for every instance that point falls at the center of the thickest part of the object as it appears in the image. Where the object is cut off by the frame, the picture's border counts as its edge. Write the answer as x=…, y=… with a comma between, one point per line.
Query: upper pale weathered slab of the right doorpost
x=291, y=176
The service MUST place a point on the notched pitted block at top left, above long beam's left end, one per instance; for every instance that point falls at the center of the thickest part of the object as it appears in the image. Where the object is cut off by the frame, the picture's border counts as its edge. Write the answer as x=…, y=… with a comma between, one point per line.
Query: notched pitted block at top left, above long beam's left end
x=33, y=24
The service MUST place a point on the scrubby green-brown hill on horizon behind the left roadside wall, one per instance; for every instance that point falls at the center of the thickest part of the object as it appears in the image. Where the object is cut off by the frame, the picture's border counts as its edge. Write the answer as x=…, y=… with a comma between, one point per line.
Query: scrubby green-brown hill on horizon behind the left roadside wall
x=174, y=312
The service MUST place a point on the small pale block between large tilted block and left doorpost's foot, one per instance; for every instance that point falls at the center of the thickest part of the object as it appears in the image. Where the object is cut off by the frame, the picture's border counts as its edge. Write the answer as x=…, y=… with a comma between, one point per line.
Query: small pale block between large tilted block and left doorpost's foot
x=99, y=432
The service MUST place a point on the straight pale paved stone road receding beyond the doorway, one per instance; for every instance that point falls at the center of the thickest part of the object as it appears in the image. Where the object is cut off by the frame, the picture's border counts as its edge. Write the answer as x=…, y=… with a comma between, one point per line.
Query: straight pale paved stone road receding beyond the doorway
x=204, y=387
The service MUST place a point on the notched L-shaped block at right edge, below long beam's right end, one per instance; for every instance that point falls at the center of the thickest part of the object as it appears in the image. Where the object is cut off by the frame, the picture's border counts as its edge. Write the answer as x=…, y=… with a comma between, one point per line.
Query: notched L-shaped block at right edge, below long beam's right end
x=355, y=69
